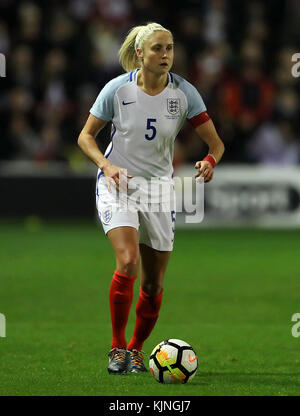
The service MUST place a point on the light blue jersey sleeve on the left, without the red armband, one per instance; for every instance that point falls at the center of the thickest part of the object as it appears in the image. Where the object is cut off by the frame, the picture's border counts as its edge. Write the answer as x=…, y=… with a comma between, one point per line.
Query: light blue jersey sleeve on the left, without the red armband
x=103, y=107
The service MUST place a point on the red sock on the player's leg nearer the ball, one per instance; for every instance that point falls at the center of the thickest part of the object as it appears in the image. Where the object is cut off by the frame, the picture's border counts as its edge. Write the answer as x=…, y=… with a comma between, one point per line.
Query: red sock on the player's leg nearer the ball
x=147, y=310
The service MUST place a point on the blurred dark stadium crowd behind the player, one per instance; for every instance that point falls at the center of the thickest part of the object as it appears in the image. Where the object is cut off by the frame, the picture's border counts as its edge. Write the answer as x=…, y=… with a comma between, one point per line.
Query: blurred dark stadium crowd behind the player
x=60, y=54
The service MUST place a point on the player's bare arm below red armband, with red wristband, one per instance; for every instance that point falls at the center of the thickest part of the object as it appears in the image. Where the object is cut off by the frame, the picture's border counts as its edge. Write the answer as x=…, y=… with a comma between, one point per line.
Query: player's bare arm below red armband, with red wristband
x=207, y=132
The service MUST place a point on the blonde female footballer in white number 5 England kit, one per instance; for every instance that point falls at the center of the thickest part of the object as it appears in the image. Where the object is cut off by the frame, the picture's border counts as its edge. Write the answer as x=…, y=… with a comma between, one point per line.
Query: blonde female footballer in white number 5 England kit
x=147, y=107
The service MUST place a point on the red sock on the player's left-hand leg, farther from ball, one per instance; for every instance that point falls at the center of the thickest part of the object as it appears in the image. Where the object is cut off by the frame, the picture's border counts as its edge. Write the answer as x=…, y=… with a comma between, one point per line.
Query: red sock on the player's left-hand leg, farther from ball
x=120, y=299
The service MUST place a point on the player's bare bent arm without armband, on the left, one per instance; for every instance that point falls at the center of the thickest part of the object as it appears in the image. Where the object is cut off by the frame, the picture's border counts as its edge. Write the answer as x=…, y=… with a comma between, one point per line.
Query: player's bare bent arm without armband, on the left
x=88, y=145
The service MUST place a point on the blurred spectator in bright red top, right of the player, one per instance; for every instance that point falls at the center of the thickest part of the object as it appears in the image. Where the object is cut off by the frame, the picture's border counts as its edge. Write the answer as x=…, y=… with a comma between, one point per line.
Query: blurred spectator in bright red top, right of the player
x=246, y=99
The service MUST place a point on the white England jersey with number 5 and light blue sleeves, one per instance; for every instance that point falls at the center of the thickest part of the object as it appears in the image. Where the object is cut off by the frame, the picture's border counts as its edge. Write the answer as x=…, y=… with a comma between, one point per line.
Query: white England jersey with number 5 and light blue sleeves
x=144, y=127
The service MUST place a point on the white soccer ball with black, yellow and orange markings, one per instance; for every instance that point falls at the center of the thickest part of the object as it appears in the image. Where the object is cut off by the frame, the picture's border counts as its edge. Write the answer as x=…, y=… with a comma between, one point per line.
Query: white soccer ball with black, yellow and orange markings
x=173, y=361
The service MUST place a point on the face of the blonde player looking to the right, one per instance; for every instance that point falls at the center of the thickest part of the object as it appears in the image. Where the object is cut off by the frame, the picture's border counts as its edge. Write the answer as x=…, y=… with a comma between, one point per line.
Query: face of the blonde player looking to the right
x=158, y=52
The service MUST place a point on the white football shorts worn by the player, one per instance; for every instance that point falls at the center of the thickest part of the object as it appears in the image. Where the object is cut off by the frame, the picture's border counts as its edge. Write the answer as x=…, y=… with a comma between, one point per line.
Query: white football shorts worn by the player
x=153, y=218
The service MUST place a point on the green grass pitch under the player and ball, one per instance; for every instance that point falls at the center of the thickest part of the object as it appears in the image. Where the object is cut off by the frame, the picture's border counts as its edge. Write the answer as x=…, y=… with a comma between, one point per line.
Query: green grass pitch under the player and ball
x=229, y=293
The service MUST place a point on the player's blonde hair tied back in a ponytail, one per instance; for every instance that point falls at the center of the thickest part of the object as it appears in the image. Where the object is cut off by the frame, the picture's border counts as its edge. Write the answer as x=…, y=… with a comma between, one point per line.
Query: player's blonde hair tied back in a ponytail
x=136, y=39
